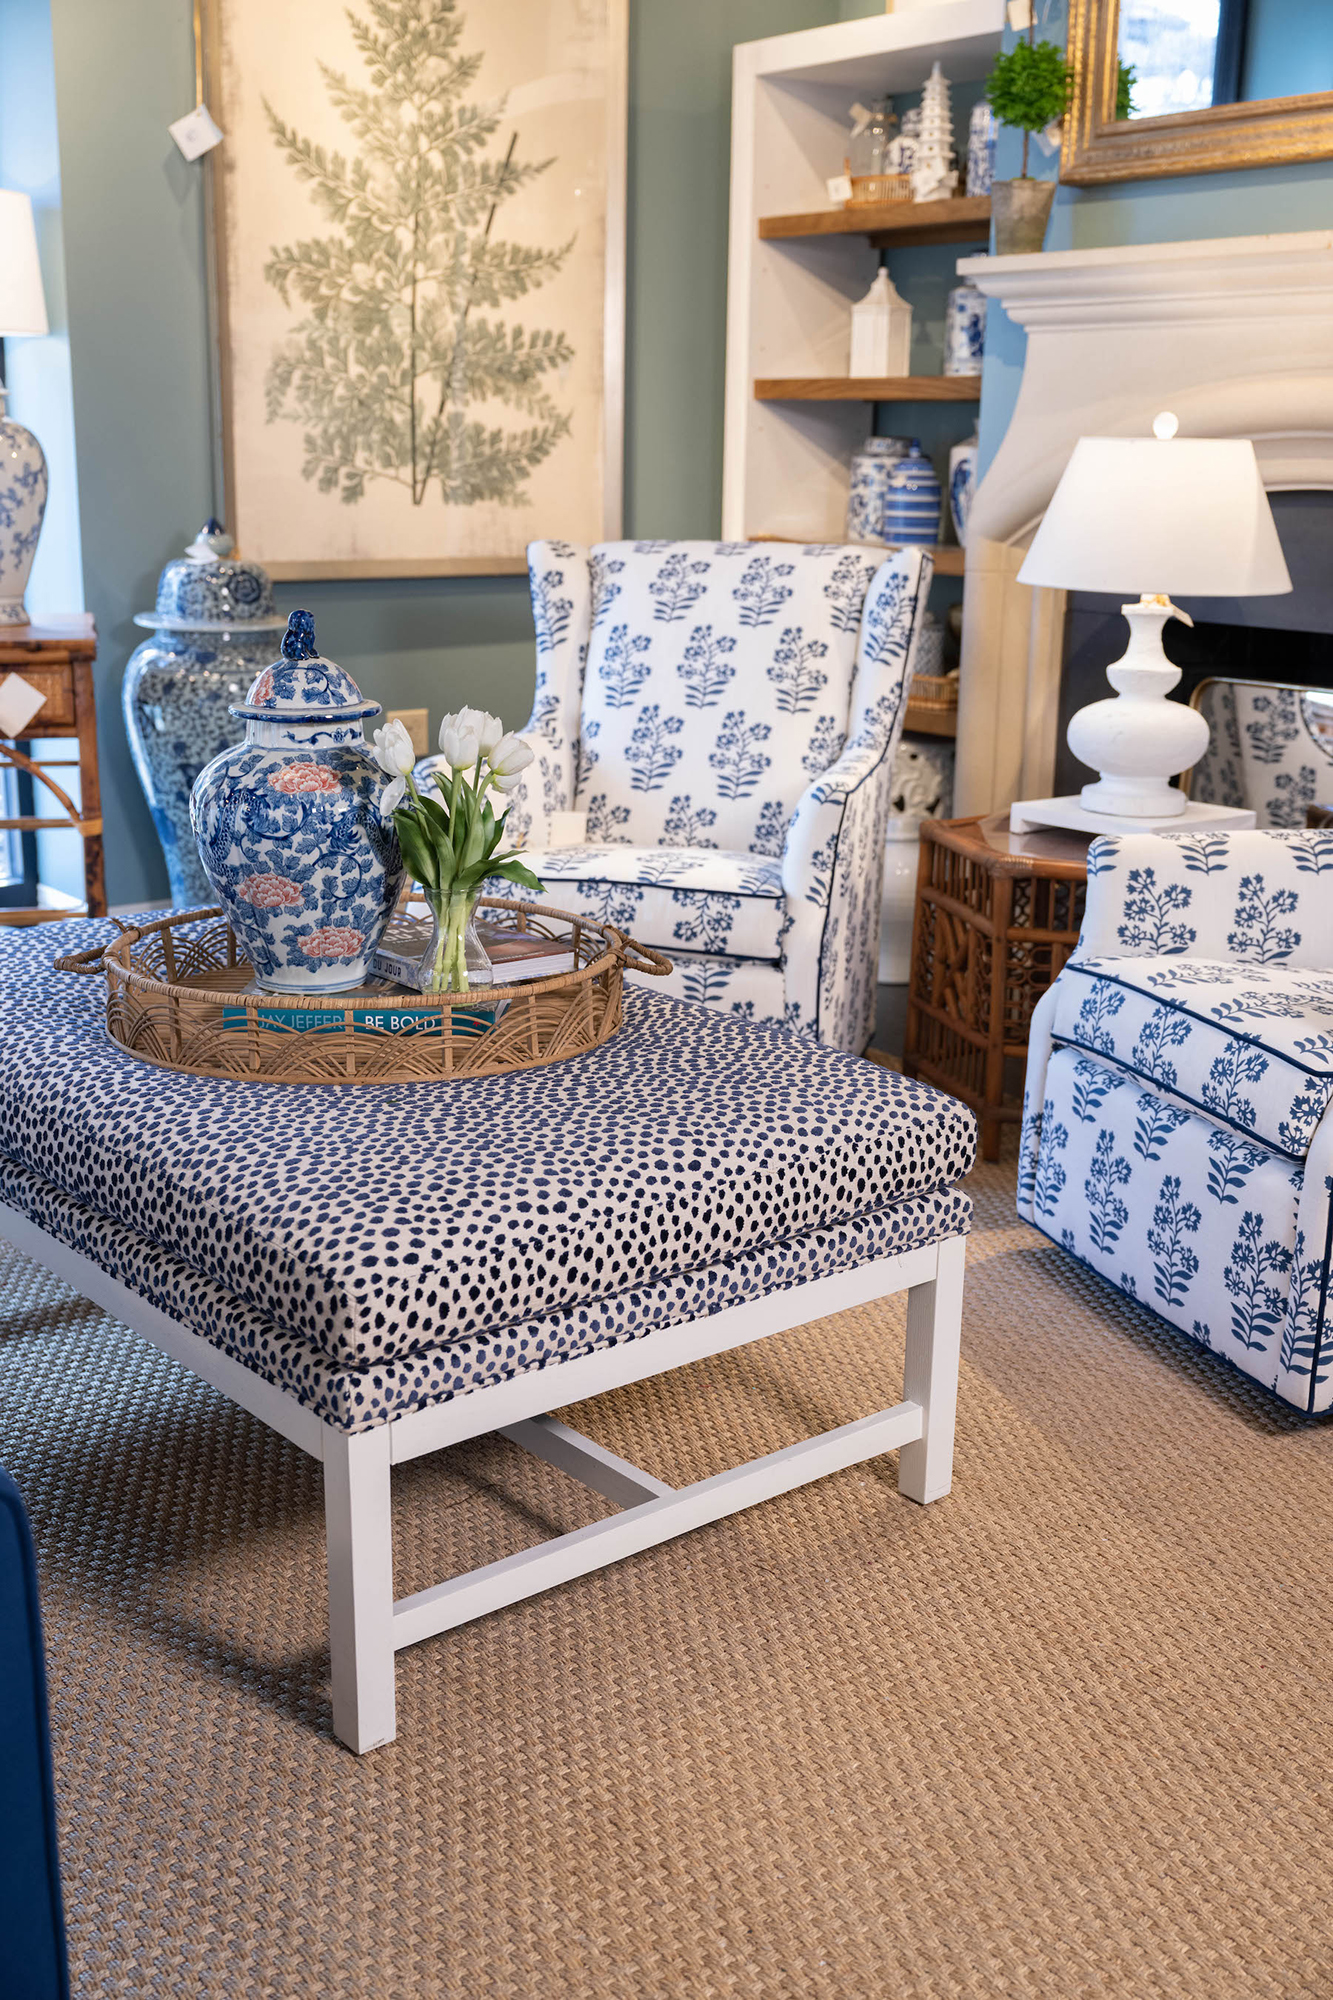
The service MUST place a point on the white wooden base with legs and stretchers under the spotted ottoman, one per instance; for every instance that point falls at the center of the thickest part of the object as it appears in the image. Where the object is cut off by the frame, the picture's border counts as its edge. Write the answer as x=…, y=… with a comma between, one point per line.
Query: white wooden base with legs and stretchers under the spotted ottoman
x=367, y=1627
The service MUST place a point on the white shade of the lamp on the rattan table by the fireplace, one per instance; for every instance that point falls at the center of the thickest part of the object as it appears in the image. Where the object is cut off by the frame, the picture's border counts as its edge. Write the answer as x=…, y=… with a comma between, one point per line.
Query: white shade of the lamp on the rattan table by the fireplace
x=1184, y=517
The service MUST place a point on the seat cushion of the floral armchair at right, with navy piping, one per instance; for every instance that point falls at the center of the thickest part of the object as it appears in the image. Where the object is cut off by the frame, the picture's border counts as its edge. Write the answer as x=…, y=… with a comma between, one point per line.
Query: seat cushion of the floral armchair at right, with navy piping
x=1248, y=1047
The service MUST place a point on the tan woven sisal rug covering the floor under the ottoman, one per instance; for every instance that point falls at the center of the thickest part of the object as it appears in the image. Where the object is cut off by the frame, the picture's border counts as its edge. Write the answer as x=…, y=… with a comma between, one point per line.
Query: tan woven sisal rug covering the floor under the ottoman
x=1056, y=1737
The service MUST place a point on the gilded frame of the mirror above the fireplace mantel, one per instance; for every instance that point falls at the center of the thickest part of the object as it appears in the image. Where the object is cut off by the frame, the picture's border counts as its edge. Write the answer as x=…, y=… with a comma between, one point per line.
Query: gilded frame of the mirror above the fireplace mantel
x=1100, y=147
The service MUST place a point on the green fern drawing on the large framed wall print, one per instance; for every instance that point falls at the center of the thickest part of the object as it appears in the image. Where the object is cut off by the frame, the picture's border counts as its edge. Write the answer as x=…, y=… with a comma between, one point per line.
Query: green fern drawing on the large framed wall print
x=405, y=331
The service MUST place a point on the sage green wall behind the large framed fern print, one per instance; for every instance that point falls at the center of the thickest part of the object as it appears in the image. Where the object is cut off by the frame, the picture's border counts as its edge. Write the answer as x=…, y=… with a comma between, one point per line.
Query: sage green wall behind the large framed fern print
x=135, y=257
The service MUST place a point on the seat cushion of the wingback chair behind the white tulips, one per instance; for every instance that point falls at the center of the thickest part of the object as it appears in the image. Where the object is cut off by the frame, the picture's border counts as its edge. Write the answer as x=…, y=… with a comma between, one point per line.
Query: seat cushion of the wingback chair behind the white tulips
x=702, y=899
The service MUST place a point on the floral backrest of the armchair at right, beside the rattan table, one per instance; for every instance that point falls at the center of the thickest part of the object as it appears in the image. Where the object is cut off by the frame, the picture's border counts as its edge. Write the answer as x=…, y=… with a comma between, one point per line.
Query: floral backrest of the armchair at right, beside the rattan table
x=1258, y=897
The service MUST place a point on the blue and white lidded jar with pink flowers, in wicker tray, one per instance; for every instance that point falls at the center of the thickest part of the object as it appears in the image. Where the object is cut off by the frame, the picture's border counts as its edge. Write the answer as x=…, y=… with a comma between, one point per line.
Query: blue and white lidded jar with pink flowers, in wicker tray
x=289, y=827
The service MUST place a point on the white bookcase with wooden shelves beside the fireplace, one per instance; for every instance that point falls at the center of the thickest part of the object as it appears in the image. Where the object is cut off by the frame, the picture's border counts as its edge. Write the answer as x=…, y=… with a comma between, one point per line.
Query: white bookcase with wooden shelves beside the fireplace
x=786, y=459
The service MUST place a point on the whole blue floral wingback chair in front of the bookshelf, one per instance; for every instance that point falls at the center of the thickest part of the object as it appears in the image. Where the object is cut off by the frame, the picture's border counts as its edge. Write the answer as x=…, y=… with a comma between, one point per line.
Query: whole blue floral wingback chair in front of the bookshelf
x=728, y=715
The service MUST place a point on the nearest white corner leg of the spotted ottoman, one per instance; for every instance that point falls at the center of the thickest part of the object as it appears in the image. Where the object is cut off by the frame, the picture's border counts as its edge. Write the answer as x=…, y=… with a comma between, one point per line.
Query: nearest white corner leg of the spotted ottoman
x=361, y=1587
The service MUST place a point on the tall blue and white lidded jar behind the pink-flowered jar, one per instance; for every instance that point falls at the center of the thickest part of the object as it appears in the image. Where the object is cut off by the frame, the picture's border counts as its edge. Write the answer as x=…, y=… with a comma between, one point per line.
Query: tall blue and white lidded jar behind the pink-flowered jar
x=213, y=633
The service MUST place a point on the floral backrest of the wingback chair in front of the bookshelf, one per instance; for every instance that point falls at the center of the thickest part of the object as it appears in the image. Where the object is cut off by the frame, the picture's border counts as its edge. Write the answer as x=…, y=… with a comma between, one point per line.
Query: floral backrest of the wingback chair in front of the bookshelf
x=718, y=687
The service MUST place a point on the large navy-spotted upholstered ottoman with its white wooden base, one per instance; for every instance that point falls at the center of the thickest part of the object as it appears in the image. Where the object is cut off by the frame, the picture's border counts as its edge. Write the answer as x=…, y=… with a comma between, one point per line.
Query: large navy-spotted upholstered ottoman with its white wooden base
x=379, y=1273
